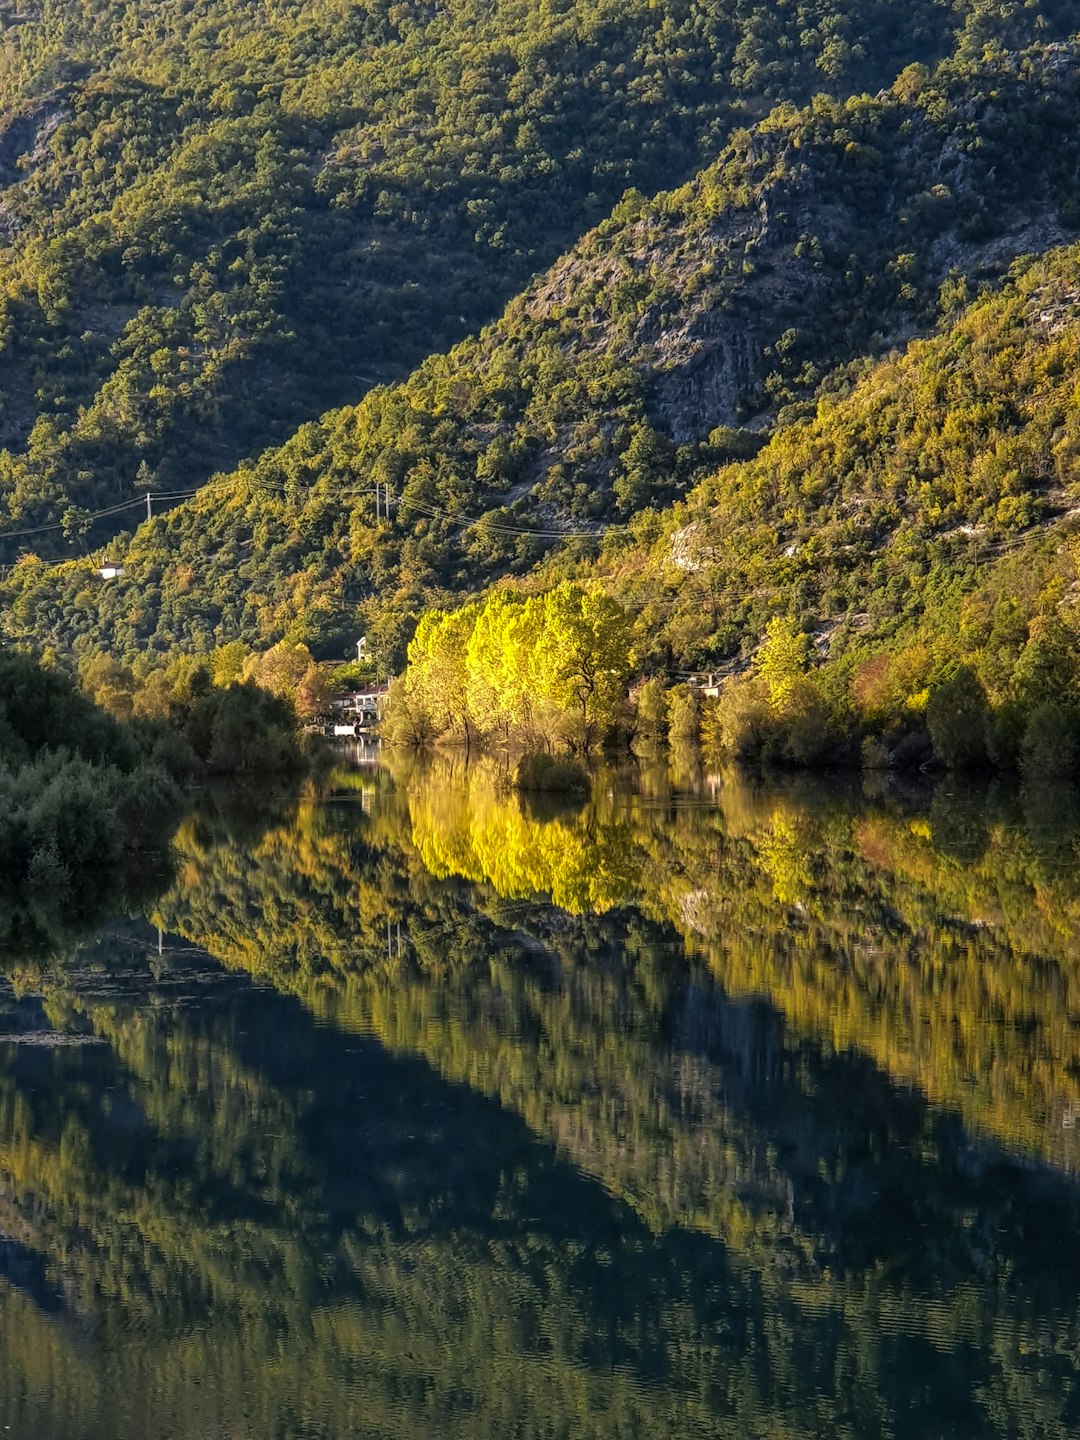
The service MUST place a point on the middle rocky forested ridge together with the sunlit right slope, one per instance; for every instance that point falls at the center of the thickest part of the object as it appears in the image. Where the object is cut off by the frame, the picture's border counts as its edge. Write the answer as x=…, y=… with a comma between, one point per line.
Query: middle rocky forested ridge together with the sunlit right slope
x=662, y=346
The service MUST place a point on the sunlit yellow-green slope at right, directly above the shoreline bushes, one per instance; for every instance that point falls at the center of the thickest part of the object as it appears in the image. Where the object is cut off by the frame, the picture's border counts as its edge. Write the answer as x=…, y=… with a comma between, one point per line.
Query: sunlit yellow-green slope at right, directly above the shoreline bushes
x=940, y=492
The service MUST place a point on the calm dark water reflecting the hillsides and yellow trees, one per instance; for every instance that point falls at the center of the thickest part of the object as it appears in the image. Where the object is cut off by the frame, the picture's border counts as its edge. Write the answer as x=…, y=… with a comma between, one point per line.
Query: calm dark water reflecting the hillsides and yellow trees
x=711, y=1110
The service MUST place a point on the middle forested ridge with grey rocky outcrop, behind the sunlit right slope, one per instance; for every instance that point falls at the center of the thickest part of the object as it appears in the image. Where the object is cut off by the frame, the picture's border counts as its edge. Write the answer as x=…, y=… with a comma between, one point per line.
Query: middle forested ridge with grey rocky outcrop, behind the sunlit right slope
x=817, y=234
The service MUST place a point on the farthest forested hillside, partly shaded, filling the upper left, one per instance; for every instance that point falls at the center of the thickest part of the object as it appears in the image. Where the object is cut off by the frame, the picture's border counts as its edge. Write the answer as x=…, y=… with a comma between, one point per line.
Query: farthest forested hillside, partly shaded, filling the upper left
x=220, y=220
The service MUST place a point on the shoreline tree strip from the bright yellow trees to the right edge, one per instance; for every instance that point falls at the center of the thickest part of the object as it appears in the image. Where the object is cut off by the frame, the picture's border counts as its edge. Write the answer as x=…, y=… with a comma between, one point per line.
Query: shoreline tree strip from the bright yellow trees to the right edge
x=555, y=670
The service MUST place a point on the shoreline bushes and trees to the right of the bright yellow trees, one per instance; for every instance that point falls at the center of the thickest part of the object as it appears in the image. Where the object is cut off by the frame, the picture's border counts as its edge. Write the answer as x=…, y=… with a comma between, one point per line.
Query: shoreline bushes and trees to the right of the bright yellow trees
x=922, y=705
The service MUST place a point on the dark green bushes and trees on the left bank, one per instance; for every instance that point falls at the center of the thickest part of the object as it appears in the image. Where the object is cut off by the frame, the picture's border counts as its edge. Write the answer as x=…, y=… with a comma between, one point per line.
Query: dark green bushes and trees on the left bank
x=86, y=796
